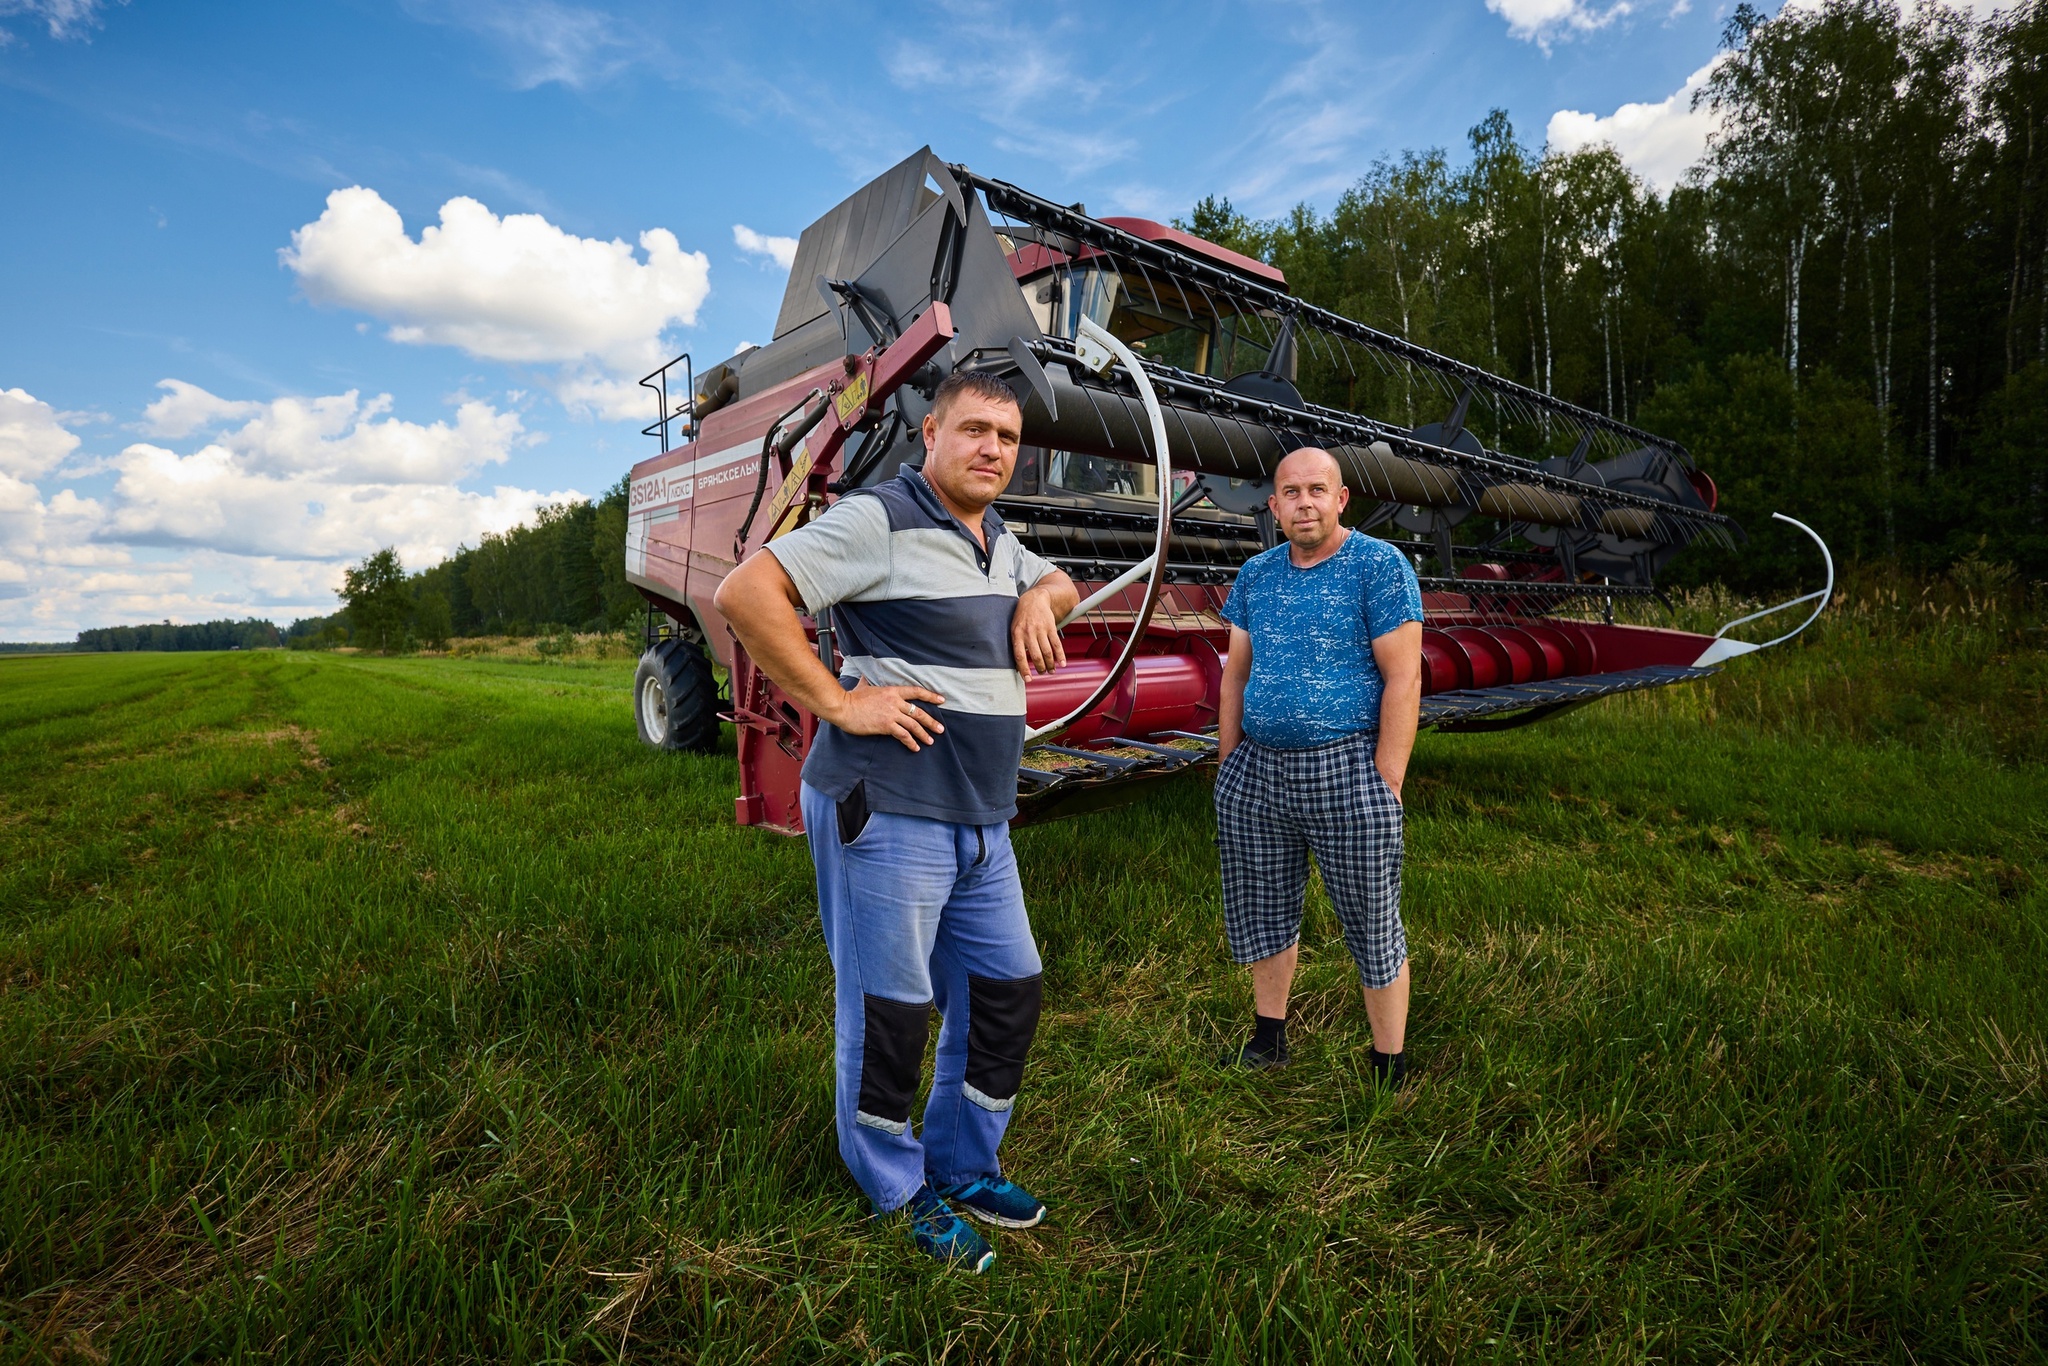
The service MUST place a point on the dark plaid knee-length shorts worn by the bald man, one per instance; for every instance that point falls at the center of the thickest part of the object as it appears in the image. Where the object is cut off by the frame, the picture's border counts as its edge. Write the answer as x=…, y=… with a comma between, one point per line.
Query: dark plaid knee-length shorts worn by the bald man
x=1273, y=810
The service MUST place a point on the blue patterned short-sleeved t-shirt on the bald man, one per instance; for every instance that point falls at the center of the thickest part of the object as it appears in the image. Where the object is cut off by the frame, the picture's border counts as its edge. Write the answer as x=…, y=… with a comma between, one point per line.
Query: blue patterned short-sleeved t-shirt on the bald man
x=1314, y=679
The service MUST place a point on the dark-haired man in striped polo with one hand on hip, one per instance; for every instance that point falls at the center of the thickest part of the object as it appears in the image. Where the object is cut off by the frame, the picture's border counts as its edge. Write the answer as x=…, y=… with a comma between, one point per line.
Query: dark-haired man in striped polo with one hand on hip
x=908, y=796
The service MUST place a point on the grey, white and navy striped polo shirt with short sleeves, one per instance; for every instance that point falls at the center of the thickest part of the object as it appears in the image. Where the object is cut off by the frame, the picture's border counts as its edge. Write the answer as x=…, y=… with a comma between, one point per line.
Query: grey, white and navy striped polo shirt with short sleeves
x=916, y=601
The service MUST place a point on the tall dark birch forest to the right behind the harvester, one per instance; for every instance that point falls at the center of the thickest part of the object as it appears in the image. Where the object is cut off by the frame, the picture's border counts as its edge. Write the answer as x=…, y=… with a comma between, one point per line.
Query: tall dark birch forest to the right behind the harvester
x=1842, y=310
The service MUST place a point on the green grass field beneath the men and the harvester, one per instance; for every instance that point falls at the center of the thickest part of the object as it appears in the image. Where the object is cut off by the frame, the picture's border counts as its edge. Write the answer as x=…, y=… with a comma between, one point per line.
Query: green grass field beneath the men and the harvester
x=413, y=1011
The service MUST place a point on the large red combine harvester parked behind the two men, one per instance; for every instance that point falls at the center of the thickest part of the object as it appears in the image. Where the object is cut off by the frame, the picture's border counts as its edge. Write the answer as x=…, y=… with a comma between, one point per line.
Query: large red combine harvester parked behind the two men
x=1162, y=382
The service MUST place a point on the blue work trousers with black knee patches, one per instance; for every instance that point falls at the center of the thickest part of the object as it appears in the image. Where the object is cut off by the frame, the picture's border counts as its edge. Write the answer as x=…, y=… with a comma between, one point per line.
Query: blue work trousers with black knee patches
x=923, y=914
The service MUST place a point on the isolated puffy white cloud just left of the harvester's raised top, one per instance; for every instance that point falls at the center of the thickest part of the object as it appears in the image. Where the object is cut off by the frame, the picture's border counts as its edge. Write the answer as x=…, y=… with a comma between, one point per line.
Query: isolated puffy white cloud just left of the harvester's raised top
x=507, y=288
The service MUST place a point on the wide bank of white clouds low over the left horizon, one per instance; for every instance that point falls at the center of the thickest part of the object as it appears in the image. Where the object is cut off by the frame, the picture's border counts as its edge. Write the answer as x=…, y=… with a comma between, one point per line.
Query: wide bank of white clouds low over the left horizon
x=261, y=517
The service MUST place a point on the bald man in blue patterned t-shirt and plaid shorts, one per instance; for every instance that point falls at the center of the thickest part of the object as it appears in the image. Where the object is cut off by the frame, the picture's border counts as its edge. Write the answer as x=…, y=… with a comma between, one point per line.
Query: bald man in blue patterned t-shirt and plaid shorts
x=1320, y=706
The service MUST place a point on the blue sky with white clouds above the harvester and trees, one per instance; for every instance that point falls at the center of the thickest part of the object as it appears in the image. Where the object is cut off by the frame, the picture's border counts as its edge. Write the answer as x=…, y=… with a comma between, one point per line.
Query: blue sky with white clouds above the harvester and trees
x=218, y=386
